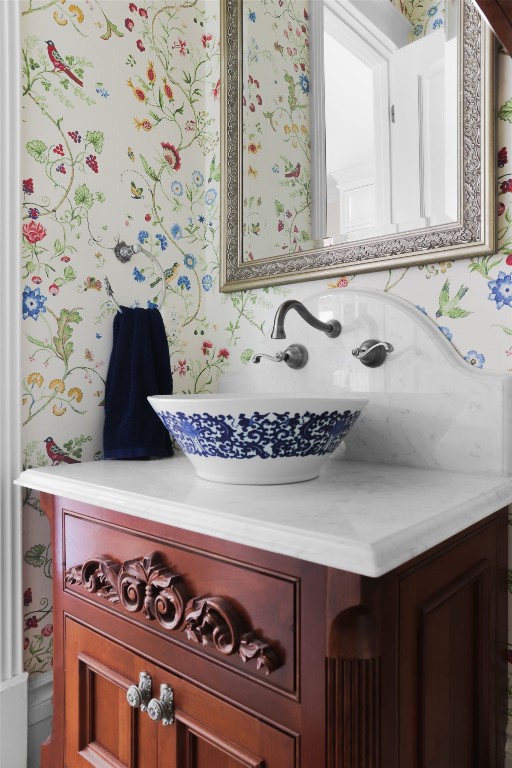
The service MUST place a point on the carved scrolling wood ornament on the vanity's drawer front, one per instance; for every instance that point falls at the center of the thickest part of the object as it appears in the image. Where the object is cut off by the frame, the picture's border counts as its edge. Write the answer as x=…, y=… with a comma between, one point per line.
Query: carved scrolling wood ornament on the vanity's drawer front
x=146, y=584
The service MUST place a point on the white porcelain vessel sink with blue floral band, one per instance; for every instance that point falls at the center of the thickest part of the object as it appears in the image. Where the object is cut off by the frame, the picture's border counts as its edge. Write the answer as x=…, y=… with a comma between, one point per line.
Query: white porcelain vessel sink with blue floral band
x=260, y=439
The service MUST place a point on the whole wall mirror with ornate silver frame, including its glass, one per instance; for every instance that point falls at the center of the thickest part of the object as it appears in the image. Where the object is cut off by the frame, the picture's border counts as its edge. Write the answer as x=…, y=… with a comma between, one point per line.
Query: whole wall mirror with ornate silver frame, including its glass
x=351, y=141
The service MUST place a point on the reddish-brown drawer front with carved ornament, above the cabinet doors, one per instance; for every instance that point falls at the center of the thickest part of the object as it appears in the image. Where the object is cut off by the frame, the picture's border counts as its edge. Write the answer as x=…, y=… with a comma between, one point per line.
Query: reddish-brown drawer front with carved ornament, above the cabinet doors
x=235, y=613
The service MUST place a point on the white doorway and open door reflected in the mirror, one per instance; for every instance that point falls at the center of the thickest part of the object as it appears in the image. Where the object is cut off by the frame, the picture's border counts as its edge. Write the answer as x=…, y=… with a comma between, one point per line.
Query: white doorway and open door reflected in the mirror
x=390, y=128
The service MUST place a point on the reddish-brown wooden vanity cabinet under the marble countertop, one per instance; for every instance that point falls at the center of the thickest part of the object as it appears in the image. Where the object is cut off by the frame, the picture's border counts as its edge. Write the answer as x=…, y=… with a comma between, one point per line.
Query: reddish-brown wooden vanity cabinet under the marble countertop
x=177, y=650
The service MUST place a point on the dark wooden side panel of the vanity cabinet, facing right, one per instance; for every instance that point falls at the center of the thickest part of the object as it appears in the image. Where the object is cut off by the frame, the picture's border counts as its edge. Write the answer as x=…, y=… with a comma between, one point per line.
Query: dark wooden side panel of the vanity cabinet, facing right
x=449, y=658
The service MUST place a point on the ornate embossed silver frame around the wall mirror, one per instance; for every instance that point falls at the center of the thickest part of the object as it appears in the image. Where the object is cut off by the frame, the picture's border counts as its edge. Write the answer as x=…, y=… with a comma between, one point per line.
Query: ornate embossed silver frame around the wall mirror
x=472, y=235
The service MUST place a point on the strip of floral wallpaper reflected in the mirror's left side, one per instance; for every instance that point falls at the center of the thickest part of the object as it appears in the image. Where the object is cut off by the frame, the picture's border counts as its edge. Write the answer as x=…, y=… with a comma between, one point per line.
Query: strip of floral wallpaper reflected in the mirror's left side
x=276, y=162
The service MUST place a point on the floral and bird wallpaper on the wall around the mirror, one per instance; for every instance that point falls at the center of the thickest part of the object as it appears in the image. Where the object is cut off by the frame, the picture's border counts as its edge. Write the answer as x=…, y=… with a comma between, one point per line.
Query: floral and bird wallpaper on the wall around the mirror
x=121, y=125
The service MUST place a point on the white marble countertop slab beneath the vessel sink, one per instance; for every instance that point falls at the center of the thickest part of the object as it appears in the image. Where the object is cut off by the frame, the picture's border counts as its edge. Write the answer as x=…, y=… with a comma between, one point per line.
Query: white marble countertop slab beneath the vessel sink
x=357, y=516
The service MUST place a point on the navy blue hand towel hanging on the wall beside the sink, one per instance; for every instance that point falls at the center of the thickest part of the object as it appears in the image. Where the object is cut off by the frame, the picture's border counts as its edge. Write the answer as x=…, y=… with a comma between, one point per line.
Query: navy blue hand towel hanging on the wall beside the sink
x=139, y=366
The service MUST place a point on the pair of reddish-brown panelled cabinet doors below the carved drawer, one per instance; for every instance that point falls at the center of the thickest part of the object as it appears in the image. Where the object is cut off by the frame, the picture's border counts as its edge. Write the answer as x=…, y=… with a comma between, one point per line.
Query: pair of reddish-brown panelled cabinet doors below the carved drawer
x=103, y=730
